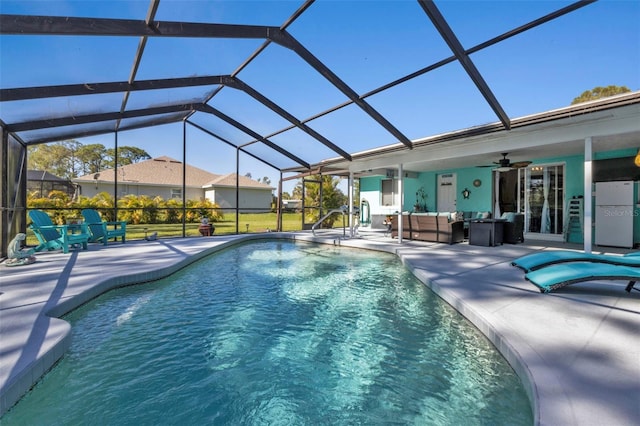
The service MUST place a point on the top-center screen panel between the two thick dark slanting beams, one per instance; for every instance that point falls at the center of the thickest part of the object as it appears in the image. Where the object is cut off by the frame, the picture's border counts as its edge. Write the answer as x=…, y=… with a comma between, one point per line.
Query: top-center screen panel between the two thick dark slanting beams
x=370, y=43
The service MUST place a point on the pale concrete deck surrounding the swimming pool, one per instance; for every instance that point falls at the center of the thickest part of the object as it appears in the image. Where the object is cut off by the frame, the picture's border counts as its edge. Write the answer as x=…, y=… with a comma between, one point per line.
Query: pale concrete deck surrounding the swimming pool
x=577, y=350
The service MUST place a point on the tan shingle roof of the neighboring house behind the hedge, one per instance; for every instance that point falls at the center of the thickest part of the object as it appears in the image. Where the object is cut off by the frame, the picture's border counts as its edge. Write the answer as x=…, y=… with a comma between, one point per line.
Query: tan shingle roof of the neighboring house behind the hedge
x=168, y=171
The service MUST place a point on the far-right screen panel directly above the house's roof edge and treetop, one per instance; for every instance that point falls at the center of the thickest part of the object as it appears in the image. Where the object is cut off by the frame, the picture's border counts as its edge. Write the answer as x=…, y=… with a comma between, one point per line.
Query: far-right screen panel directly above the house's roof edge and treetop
x=550, y=66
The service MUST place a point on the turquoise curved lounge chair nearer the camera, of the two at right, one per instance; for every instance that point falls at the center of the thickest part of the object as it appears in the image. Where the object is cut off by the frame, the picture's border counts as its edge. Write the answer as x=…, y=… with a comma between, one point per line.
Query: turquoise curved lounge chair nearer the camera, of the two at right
x=556, y=276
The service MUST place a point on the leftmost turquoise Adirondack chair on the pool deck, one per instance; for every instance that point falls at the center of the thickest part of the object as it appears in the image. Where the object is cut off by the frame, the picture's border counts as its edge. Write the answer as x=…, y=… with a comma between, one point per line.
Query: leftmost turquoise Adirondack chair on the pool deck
x=56, y=237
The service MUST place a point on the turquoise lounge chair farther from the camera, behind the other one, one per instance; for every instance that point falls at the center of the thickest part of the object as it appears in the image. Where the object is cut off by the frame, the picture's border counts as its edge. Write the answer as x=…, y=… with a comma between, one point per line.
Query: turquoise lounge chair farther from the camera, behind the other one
x=534, y=261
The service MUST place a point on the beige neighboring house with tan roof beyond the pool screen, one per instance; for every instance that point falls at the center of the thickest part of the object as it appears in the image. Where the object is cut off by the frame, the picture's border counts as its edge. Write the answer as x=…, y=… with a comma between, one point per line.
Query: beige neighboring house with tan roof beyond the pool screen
x=162, y=177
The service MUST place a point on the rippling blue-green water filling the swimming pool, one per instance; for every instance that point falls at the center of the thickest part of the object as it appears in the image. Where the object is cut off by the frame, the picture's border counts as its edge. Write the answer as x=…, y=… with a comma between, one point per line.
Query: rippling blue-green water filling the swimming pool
x=276, y=333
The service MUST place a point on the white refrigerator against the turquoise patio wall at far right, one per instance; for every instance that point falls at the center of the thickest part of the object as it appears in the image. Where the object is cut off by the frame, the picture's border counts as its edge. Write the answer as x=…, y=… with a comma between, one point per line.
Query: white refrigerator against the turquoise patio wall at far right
x=614, y=214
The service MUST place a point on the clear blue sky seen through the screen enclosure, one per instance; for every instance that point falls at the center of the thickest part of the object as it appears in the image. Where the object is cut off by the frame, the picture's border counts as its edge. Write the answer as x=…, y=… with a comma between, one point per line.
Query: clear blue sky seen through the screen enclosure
x=366, y=43
